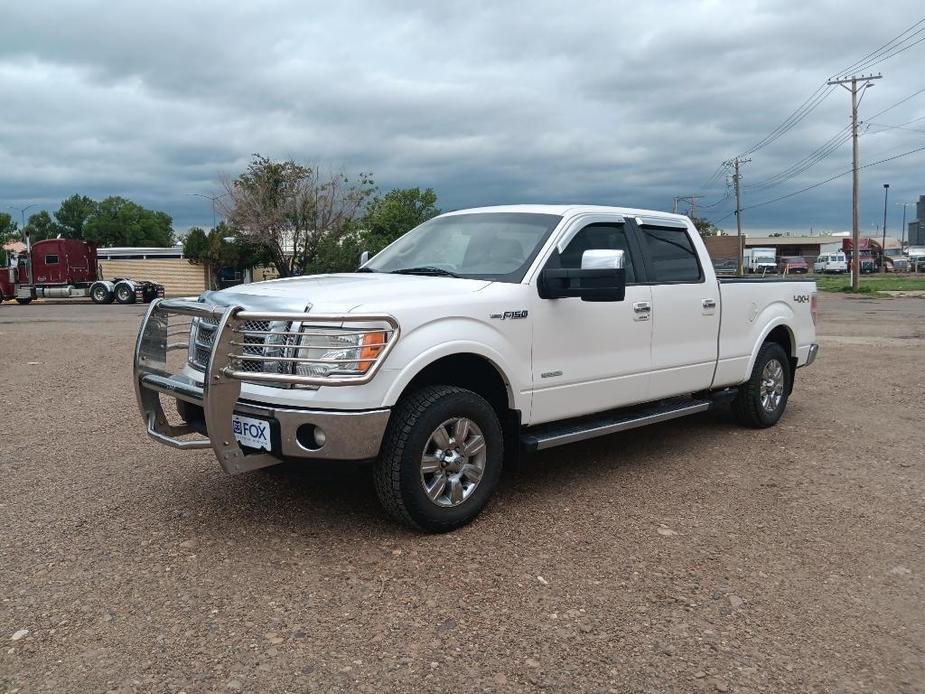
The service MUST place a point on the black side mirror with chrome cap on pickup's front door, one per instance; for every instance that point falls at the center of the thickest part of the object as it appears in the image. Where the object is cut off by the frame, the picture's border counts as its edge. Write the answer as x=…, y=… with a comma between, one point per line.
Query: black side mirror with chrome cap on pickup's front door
x=602, y=277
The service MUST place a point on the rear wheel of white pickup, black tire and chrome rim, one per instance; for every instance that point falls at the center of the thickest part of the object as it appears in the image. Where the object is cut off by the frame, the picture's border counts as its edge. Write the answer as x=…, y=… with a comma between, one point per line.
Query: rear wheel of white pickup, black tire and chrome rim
x=754, y=406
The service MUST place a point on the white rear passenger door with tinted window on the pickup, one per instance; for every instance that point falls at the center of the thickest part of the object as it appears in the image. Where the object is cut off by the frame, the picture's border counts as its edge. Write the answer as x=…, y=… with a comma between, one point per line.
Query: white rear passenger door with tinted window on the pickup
x=685, y=309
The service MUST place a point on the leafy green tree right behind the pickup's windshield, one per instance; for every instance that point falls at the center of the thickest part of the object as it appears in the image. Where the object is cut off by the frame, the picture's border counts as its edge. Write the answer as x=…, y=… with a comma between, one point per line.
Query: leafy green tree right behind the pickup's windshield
x=396, y=213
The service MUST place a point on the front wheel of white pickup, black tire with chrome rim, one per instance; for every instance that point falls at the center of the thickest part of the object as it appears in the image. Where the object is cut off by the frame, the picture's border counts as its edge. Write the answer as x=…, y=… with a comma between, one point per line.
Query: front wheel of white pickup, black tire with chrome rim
x=441, y=458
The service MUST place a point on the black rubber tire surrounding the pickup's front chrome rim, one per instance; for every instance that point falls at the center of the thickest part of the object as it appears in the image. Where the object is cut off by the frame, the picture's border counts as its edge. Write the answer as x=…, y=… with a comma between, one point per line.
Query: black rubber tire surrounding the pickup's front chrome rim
x=398, y=471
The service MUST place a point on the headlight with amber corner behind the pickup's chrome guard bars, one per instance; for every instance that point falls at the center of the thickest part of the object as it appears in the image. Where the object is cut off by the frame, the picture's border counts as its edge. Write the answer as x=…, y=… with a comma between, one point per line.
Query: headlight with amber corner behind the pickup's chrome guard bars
x=331, y=351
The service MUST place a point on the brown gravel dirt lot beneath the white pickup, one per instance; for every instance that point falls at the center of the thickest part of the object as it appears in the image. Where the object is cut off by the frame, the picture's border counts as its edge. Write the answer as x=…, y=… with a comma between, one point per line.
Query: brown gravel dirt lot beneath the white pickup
x=692, y=556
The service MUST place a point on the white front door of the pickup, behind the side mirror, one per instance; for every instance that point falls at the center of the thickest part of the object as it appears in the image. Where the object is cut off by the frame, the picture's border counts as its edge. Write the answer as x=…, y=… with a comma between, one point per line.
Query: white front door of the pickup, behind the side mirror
x=591, y=356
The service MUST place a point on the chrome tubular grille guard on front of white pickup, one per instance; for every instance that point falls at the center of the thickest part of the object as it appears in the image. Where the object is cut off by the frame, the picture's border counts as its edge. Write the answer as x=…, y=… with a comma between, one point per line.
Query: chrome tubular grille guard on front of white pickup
x=226, y=369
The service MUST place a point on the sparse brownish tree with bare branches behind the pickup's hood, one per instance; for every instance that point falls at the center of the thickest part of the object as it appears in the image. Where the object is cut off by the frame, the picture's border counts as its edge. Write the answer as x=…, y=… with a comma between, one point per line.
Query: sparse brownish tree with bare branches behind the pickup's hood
x=289, y=209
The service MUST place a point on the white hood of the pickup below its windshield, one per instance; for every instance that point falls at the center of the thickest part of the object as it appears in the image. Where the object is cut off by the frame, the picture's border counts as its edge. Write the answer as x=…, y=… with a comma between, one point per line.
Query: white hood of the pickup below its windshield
x=341, y=292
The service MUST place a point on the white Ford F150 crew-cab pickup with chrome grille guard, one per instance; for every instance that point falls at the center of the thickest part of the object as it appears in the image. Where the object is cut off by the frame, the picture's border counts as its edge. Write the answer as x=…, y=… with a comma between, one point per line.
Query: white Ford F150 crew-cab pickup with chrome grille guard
x=475, y=336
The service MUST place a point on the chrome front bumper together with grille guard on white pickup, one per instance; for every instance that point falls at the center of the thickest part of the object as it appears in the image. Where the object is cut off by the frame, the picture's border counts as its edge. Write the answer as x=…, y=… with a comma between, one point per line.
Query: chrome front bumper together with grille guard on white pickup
x=208, y=407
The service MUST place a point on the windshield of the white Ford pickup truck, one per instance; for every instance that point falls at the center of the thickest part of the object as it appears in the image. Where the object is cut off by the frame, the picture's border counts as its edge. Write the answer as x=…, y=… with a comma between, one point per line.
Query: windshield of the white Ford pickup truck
x=496, y=246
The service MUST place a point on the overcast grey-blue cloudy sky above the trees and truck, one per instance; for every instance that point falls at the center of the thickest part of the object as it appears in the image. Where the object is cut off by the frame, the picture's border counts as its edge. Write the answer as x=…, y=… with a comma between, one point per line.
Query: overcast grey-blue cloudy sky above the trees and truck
x=486, y=101
